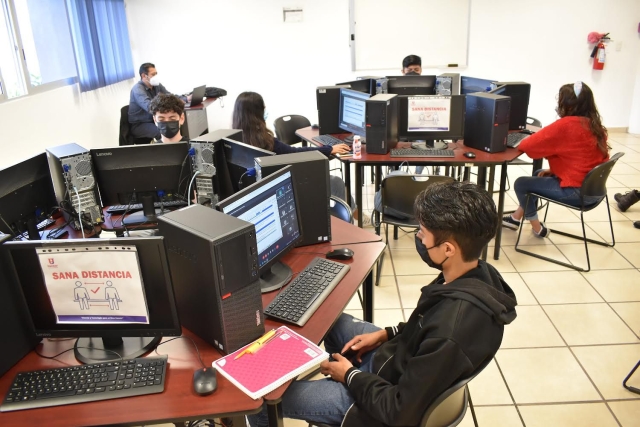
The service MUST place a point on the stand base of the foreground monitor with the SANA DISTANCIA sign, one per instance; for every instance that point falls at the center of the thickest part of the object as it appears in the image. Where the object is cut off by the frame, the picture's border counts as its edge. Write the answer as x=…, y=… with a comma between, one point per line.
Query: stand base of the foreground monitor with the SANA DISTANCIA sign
x=92, y=350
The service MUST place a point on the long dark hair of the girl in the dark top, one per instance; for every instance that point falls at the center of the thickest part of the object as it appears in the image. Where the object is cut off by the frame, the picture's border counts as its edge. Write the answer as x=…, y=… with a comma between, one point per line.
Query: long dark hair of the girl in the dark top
x=248, y=115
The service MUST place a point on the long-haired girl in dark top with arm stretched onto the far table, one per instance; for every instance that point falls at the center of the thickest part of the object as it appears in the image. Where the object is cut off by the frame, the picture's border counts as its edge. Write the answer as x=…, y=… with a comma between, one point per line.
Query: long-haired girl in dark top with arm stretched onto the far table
x=250, y=114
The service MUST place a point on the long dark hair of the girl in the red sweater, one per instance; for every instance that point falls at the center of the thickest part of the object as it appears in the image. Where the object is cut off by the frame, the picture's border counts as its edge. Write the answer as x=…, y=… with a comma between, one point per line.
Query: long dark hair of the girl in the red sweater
x=583, y=105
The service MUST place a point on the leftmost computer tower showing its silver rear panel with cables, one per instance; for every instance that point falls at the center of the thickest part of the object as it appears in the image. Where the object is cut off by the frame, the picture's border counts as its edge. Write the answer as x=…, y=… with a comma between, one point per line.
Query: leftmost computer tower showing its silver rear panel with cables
x=74, y=182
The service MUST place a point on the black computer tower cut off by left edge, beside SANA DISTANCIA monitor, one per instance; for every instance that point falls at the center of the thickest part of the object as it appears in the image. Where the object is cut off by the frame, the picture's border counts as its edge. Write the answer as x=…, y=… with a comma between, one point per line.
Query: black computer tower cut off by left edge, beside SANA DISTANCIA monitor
x=16, y=336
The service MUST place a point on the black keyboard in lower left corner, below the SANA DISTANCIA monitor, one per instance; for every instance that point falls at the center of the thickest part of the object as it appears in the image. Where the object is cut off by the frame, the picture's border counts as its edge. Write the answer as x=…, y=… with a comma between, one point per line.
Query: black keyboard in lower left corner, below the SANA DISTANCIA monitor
x=86, y=383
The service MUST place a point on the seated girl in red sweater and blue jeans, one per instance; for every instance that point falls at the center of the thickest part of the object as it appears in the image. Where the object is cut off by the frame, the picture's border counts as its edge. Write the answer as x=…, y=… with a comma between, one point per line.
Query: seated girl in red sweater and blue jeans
x=573, y=145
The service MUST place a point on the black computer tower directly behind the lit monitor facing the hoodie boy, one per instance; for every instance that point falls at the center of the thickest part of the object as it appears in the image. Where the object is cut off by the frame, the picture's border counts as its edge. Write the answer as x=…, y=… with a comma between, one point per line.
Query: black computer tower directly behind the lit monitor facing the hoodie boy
x=311, y=177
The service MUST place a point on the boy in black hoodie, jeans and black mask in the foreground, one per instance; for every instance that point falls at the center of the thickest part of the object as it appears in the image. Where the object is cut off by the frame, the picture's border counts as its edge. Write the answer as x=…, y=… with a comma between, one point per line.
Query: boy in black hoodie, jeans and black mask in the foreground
x=456, y=327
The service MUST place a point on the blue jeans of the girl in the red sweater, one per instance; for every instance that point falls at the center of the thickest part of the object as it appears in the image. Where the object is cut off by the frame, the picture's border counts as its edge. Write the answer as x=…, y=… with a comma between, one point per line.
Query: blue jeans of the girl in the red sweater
x=548, y=186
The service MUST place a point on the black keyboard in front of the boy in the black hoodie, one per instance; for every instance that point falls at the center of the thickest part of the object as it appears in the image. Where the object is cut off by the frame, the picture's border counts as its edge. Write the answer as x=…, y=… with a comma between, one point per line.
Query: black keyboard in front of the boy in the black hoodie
x=302, y=297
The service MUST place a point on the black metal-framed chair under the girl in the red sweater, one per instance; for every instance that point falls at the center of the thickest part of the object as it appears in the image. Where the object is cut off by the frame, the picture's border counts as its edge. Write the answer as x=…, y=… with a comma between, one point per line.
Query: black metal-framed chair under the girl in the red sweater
x=594, y=185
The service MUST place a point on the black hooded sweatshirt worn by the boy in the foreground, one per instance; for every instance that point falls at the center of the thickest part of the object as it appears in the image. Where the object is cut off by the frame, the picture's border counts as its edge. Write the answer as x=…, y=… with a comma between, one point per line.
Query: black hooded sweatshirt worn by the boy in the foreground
x=454, y=329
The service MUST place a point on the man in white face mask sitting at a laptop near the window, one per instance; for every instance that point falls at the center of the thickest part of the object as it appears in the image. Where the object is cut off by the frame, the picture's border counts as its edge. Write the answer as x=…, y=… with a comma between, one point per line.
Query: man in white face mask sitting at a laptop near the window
x=141, y=123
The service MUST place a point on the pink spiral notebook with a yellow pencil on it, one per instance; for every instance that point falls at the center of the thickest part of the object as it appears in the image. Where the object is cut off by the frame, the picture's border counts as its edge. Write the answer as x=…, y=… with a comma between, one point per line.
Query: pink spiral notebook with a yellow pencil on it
x=279, y=360
